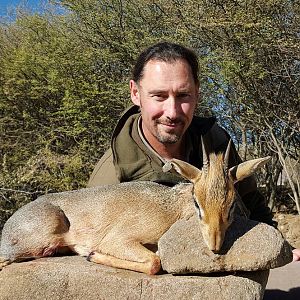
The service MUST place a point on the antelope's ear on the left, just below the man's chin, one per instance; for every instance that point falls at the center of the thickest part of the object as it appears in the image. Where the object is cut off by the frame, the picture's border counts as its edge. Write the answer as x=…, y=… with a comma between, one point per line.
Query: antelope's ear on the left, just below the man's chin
x=185, y=169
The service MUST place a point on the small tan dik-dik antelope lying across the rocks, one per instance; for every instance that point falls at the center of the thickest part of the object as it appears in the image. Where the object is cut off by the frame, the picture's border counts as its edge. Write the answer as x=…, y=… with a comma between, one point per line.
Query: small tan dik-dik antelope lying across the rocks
x=111, y=224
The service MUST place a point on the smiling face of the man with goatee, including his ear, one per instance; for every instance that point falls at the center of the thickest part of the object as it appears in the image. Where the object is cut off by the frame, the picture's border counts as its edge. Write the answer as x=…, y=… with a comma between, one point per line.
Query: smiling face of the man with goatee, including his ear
x=167, y=96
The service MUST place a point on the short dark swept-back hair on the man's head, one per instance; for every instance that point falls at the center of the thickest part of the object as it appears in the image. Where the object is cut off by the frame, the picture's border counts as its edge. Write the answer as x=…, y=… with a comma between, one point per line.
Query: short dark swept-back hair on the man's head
x=168, y=52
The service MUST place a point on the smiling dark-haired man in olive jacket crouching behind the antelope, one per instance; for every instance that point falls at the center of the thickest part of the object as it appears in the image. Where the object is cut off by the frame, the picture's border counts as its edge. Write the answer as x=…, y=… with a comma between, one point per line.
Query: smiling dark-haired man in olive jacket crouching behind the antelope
x=161, y=125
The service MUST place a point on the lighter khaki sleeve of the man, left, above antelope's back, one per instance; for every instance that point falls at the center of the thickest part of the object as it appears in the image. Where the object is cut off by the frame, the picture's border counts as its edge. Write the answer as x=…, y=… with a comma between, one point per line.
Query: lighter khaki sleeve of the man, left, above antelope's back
x=104, y=172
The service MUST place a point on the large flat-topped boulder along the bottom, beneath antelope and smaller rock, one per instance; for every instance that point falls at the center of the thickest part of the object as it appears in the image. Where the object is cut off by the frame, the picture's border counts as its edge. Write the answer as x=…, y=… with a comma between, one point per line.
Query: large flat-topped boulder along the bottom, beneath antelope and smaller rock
x=62, y=278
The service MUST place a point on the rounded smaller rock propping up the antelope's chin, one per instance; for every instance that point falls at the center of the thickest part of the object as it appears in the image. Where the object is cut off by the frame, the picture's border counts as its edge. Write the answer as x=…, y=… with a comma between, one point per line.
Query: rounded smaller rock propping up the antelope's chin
x=248, y=246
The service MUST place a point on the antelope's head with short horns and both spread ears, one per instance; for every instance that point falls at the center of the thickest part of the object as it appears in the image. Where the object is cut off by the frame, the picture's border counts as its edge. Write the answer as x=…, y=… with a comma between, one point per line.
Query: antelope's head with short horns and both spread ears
x=214, y=193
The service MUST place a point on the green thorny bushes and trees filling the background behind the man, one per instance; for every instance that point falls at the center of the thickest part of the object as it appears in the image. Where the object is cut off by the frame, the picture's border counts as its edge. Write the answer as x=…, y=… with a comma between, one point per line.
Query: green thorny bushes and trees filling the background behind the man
x=64, y=82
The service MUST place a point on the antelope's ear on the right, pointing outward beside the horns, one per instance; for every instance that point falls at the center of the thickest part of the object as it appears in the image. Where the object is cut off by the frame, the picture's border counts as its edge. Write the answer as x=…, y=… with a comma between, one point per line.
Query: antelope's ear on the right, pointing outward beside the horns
x=247, y=168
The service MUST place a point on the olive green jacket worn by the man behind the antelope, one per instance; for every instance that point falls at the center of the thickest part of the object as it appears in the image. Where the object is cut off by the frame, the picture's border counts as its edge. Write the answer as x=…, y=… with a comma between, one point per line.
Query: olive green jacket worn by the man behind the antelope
x=130, y=159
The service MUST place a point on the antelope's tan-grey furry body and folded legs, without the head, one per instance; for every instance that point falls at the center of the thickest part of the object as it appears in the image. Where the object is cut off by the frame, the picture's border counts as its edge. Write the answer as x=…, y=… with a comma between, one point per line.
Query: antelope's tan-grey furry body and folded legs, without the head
x=109, y=224
